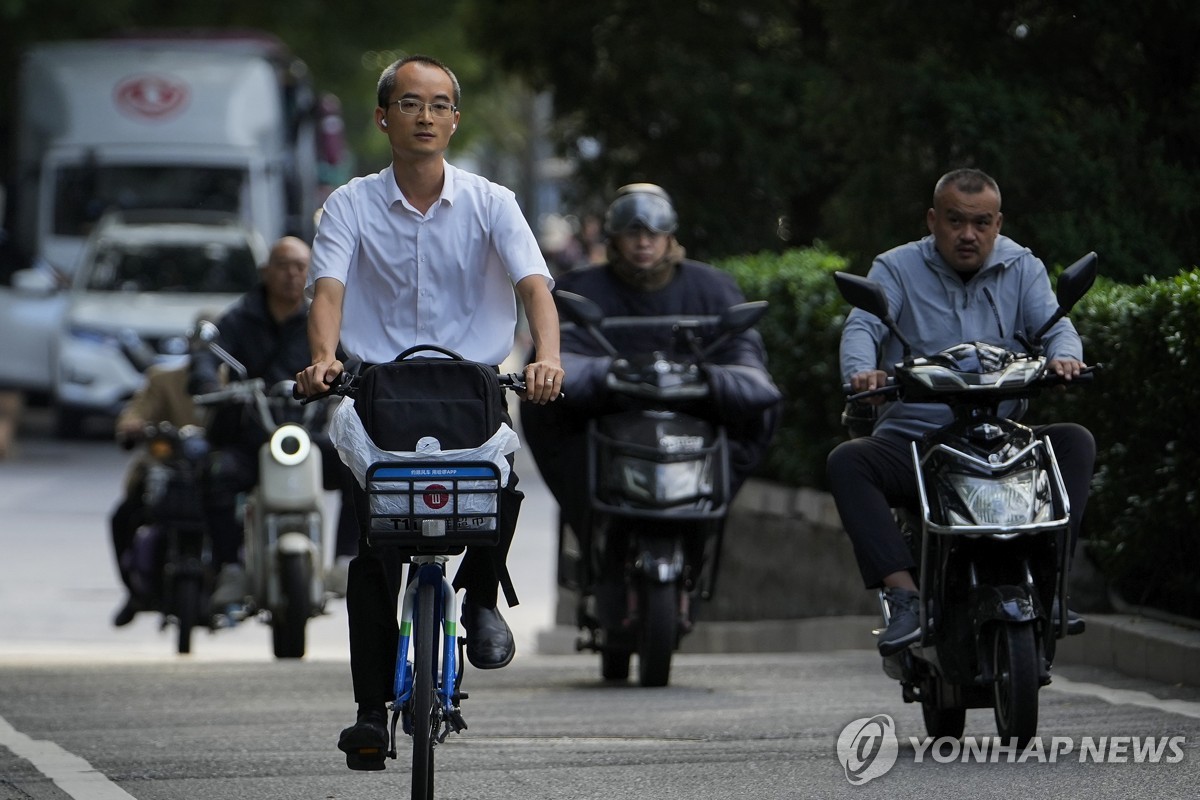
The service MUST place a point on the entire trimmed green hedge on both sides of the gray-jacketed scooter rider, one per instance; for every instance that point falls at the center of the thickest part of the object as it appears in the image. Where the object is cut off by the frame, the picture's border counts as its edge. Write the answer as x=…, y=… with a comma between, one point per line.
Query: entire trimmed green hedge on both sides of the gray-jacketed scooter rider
x=1143, y=522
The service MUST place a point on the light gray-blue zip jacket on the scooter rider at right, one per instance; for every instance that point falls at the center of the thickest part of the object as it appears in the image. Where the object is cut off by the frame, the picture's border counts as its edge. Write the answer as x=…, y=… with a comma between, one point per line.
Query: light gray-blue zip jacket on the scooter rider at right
x=935, y=310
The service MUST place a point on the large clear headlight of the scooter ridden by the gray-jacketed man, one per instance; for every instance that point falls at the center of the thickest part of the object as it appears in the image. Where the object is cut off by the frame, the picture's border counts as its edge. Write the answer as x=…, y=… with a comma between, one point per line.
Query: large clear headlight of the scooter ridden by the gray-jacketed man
x=1013, y=500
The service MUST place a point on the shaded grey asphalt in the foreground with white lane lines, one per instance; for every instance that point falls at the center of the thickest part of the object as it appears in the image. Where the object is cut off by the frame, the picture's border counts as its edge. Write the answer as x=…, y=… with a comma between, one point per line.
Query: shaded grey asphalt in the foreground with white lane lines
x=729, y=727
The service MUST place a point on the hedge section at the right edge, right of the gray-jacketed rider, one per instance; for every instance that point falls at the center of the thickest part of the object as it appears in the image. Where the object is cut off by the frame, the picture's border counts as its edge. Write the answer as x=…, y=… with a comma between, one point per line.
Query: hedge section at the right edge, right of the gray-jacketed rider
x=1143, y=519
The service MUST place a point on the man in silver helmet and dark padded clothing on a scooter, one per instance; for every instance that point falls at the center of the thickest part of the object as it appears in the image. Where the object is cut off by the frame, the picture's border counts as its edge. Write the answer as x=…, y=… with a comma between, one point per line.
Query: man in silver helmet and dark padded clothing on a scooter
x=647, y=278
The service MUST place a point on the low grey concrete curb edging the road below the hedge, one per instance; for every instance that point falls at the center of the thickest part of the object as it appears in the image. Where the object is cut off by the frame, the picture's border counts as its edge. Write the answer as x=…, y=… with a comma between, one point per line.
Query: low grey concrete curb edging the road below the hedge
x=1136, y=646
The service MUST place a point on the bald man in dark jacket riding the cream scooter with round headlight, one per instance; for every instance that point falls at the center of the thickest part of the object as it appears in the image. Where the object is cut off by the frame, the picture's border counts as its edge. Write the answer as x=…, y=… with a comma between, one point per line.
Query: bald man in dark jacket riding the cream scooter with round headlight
x=267, y=332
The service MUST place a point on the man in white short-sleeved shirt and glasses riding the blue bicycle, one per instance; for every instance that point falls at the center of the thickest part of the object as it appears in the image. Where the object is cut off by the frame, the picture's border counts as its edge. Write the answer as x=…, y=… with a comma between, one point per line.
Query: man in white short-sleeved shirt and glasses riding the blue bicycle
x=424, y=254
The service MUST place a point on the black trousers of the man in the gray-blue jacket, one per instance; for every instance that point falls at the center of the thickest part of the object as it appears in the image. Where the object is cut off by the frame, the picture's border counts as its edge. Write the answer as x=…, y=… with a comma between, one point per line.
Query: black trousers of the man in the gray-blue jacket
x=872, y=476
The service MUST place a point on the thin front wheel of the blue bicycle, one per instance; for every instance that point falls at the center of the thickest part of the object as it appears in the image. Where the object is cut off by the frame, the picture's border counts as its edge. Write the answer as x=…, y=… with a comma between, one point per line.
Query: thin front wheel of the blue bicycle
x=425, y=670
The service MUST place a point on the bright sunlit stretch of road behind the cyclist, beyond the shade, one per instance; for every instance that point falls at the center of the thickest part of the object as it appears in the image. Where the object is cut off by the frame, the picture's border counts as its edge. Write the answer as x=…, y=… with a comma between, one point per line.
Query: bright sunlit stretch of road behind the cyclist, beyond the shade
x=61, y=586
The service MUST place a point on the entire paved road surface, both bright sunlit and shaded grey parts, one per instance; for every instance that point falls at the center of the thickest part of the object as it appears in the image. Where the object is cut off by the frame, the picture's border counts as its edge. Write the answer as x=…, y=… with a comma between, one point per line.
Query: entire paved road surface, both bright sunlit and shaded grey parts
x=89, y=713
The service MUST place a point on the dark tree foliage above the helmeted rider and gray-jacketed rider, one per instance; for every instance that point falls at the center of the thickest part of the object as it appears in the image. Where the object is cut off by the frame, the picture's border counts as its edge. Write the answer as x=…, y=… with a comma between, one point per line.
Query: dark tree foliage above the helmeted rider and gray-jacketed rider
x=777, y=123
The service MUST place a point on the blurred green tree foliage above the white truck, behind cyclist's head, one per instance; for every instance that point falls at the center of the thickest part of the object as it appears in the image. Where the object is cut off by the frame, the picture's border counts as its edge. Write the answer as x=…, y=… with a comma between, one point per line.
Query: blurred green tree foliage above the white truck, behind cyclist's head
x=345, y=49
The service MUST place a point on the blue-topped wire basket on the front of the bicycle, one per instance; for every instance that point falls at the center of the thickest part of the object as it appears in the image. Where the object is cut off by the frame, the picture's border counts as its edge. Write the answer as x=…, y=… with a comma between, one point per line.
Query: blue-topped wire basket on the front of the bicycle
x=434, y=507
